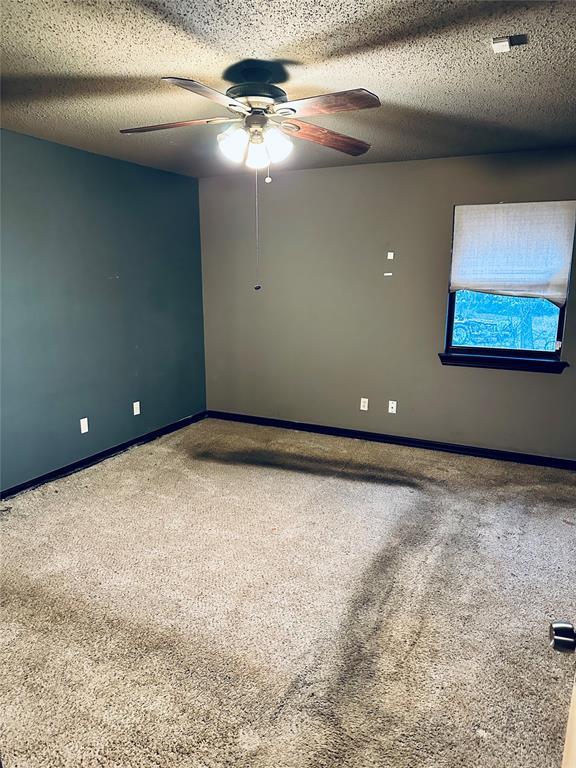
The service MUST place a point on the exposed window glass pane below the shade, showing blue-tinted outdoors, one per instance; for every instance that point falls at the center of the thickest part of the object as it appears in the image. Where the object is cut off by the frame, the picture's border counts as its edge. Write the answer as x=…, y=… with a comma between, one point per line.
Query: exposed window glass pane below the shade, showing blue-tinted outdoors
x=504, y=322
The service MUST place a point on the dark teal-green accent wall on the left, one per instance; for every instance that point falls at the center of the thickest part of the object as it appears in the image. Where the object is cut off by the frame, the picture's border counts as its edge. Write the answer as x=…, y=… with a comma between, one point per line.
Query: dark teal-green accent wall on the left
x=101, y=304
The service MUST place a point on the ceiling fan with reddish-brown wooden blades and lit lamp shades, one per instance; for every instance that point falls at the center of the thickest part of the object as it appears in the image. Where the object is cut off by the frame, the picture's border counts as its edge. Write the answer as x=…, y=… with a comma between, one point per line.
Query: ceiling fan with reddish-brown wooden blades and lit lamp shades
x=264, y=120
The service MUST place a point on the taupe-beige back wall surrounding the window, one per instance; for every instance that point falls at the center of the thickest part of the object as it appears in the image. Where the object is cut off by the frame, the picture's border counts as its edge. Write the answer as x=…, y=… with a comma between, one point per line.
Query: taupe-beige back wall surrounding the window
x=328, y=328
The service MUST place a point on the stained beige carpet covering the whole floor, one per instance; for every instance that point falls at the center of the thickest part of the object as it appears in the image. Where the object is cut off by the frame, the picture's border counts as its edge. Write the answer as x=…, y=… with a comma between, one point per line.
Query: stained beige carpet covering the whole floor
x=233, y=595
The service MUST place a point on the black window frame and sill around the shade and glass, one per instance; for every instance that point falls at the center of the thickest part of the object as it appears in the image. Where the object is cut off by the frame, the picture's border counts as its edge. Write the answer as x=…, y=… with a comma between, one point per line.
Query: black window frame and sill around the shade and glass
x=500, y=357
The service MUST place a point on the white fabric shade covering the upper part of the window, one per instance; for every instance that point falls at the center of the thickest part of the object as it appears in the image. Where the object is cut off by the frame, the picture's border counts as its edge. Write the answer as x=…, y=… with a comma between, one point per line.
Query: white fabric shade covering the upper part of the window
x=514, y=249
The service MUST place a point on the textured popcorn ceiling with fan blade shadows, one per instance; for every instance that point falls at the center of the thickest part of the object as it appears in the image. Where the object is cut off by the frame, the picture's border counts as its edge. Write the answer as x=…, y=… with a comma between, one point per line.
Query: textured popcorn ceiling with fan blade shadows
x=77, y=71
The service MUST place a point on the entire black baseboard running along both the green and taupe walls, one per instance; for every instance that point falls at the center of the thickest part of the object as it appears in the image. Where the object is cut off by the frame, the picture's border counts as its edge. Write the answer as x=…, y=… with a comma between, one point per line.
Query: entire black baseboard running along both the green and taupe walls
x=356, y=434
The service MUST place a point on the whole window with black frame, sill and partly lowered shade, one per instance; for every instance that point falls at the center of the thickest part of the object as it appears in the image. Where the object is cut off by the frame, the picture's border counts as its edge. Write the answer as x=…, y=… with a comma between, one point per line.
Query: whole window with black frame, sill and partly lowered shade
x=509, y=285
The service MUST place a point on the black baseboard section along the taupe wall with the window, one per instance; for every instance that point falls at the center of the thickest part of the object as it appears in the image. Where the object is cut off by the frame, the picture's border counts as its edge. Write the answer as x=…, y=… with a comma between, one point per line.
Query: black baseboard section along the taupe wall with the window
x=412, y=442
